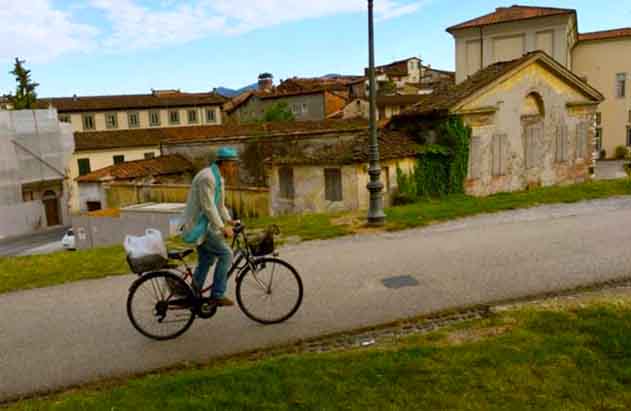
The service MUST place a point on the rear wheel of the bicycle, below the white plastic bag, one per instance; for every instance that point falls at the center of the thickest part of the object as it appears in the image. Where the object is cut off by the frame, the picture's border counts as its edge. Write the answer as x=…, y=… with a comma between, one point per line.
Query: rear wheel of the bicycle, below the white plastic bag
x=160, y=306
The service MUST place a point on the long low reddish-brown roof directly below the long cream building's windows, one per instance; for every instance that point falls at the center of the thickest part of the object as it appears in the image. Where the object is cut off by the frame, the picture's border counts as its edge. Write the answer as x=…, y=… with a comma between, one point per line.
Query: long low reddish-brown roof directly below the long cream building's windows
x=103, y=140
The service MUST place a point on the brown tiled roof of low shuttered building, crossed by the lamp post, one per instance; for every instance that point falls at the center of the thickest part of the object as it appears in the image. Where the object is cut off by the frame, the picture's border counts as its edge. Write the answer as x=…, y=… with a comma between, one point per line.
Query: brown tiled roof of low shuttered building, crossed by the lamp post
x=392, y=145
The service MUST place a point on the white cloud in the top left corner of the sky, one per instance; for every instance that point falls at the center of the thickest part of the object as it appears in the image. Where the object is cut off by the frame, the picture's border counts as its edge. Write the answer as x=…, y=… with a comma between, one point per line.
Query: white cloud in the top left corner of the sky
x=34, y=30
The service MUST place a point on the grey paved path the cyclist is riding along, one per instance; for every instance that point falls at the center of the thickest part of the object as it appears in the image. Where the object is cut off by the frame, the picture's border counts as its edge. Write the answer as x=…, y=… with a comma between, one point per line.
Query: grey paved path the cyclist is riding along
x=55, y=337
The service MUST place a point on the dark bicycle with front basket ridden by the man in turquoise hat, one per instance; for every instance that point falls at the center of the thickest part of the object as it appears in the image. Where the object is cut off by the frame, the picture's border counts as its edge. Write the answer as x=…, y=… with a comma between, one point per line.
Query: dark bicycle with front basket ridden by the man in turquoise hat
x=165, y=298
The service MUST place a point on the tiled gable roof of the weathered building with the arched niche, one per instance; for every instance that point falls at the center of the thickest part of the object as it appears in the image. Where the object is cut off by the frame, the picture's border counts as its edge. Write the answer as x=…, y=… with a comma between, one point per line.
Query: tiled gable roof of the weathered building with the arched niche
x=443, y=101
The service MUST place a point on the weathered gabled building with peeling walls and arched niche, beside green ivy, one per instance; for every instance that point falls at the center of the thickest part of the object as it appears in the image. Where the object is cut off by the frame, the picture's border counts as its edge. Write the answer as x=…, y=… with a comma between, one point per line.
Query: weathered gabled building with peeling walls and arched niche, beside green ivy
x=532, y=123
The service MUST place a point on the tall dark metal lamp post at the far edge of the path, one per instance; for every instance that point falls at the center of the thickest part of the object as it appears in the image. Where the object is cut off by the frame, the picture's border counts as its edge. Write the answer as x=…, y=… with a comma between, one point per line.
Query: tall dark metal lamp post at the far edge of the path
x=376, y=216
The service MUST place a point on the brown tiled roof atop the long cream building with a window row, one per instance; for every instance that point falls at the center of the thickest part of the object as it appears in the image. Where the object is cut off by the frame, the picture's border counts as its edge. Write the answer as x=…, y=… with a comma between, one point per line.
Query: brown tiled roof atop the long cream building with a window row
x=130, y=101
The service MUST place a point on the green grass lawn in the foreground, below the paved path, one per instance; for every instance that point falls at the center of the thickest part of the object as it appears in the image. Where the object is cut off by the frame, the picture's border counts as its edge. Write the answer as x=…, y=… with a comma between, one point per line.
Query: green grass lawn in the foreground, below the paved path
x=575, y=358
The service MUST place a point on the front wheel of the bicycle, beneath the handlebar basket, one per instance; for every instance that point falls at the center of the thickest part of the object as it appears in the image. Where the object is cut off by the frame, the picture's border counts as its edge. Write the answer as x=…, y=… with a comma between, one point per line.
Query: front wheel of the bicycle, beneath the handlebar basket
x=270, y=294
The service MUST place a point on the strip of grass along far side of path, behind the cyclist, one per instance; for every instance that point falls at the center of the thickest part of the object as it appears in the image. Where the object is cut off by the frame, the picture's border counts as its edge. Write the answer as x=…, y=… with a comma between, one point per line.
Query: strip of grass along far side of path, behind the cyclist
x=38, y=271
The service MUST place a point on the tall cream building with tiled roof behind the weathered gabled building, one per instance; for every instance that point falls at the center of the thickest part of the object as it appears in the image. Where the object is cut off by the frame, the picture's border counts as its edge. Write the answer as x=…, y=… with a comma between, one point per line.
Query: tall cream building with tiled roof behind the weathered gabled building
x=602, y=58
